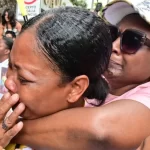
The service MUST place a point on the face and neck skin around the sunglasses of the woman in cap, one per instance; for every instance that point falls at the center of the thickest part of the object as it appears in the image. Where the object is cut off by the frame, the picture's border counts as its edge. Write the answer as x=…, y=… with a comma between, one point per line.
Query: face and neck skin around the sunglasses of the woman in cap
x=133, y=69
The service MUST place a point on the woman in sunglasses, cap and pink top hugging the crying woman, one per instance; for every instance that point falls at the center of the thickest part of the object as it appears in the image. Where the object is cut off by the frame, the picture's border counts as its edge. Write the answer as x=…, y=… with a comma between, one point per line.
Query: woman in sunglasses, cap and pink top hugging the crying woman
x=124, y=120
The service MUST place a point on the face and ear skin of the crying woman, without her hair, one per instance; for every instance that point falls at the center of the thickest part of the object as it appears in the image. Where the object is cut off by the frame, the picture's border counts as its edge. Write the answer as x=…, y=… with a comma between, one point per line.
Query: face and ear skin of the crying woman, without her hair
x=27, y=69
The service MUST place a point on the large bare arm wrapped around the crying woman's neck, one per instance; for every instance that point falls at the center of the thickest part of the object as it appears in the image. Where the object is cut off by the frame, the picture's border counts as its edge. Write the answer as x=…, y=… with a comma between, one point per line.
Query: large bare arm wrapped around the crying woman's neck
x=119, y=125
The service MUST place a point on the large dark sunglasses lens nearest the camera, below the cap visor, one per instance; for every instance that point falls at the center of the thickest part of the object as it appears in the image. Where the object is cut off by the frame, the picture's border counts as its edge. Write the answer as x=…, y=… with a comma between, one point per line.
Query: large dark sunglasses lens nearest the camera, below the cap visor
x=131, y=41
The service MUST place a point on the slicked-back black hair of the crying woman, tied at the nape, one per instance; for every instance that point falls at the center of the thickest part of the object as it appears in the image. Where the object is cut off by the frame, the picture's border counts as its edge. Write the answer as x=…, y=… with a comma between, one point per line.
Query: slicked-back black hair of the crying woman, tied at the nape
x=78, y=42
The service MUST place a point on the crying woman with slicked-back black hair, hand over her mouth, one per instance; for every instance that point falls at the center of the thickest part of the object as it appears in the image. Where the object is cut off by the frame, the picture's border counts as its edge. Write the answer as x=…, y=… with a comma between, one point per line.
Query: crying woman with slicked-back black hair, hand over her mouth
x=56, y=62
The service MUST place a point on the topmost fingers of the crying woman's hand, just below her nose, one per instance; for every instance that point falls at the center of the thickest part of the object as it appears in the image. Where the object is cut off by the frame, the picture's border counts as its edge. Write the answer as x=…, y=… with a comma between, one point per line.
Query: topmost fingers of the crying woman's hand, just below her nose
x=6, y=103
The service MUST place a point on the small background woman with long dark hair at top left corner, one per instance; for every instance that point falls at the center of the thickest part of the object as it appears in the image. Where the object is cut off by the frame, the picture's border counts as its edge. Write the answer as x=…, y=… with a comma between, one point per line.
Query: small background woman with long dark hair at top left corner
x=9, y=22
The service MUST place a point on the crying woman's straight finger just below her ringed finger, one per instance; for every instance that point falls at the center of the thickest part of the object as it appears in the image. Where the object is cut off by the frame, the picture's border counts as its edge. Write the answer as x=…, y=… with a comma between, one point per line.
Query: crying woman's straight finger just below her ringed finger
x=10, y=134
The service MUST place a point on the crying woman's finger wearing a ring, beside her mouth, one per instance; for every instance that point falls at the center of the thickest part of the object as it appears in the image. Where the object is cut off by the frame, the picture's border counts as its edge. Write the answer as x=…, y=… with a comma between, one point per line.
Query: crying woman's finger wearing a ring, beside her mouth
x=11, y=120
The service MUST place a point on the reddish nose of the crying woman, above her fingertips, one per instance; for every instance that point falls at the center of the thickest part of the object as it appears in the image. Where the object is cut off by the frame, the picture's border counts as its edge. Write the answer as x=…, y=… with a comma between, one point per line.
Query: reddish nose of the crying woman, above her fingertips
x=10, y=82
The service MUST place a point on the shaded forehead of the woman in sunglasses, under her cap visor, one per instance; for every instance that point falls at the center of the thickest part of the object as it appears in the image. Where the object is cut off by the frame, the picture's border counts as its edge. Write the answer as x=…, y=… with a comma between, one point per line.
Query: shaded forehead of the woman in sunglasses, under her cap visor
x=134, y=22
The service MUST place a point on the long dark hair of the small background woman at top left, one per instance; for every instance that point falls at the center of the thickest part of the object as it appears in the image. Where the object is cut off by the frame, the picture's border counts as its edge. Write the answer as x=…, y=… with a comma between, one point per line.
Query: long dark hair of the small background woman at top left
x=11, y=17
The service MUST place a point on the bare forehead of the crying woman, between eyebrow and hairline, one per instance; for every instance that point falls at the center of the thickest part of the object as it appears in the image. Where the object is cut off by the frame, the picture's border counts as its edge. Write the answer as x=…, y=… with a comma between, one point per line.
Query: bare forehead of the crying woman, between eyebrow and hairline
x=26, y=53
